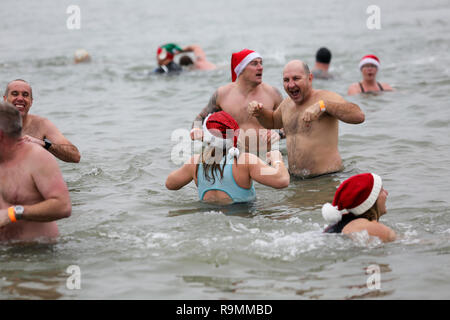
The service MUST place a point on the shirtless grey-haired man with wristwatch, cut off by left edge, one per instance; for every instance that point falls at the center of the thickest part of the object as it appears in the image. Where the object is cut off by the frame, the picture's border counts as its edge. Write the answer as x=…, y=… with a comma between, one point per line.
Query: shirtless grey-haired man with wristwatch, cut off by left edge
x=33, y=193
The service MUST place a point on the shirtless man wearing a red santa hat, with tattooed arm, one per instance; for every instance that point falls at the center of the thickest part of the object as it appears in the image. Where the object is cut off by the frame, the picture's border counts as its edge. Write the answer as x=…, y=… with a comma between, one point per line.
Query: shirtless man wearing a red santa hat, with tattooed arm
x=233, y=98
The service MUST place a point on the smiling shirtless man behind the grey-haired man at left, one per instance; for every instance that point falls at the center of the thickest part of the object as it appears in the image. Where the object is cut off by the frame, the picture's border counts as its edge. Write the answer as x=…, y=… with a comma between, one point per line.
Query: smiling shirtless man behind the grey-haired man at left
x=37, y=129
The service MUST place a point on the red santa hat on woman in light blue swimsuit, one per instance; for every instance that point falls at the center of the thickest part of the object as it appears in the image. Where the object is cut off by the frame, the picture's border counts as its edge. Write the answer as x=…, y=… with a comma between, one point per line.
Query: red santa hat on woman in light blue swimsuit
x=221, y=131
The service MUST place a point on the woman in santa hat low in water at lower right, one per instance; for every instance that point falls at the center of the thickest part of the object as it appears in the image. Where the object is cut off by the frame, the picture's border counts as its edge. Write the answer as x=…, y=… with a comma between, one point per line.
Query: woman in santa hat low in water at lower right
x=358, y=204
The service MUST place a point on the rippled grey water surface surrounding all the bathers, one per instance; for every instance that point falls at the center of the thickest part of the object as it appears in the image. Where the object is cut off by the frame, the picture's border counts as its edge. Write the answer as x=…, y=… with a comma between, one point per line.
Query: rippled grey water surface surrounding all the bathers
x=133, y=239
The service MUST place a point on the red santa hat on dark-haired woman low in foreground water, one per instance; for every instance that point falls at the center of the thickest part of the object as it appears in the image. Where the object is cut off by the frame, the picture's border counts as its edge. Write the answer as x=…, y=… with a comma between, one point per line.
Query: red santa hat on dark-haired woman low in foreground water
x=356, y=195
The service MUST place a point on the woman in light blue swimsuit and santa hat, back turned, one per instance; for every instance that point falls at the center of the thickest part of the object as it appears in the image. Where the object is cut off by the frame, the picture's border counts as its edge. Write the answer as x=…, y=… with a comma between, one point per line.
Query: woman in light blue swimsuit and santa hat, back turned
x=222, y=174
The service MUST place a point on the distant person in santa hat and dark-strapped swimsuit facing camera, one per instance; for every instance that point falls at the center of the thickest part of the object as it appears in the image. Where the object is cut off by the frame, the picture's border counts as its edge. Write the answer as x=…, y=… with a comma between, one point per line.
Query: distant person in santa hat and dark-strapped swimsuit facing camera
x=369, y=66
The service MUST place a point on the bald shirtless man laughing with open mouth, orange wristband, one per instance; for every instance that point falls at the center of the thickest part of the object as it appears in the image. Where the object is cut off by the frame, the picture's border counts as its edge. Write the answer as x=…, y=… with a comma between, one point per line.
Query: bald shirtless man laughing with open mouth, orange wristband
x=310, y=120
